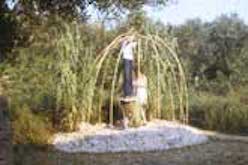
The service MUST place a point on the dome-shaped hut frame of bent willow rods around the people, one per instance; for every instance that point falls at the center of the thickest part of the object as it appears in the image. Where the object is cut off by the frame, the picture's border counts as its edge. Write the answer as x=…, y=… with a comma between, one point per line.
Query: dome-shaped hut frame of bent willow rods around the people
x=157, y=59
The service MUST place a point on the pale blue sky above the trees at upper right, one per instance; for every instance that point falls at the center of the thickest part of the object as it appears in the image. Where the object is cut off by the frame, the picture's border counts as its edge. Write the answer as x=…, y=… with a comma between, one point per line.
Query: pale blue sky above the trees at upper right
x=178, y=12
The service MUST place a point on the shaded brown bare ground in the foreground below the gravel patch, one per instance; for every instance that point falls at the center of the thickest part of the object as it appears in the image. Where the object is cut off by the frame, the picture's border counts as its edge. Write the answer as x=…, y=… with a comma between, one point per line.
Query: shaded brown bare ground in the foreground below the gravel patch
x=215, y=152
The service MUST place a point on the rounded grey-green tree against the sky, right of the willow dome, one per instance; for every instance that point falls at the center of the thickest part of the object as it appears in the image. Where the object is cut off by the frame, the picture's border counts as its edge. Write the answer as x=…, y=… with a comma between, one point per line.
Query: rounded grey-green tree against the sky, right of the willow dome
x=212, y=47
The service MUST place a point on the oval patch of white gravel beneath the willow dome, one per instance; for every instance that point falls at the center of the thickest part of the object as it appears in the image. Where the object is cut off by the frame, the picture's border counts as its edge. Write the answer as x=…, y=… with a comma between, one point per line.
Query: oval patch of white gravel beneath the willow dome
x=156, y=135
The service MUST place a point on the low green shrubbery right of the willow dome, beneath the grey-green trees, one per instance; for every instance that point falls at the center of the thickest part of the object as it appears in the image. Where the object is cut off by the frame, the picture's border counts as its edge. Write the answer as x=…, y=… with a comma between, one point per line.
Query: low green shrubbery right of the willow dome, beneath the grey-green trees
x=224, y=113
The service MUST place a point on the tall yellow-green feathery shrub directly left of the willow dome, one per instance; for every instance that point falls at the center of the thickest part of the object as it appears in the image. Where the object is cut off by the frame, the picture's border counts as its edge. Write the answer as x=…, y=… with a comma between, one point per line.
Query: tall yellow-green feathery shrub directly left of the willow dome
x=54, y=74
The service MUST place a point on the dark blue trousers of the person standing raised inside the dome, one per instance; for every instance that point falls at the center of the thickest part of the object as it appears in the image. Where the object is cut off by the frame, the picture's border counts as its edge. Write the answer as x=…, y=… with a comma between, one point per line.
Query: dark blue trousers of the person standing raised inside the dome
x=128, y=80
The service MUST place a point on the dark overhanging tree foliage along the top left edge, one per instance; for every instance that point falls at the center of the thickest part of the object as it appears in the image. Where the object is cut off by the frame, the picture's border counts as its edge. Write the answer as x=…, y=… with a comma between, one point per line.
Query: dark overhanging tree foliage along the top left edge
x=17, y=25
